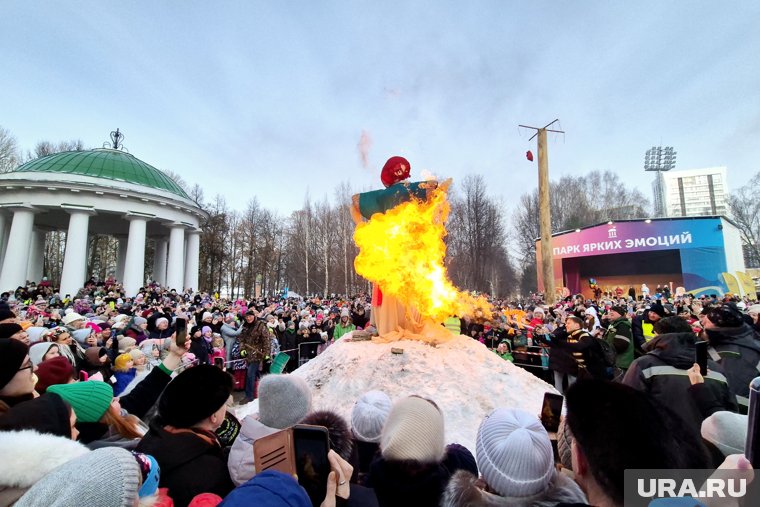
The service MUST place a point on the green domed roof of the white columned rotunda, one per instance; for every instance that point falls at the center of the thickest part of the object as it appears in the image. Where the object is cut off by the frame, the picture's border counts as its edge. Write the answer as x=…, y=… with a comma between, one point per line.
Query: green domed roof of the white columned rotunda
x=104, y=163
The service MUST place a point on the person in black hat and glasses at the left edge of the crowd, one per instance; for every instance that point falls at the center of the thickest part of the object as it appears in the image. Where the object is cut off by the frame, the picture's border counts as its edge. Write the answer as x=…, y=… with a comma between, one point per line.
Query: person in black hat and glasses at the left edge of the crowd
x=17, y=377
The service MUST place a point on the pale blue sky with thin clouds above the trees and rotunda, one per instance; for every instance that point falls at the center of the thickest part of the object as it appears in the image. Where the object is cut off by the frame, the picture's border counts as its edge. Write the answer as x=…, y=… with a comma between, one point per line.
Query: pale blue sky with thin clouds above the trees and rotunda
x=270, y=99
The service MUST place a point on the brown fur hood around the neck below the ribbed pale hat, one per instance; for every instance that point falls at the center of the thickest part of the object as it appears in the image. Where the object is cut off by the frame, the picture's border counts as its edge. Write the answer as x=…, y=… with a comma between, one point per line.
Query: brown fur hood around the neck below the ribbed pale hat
x=464, y=490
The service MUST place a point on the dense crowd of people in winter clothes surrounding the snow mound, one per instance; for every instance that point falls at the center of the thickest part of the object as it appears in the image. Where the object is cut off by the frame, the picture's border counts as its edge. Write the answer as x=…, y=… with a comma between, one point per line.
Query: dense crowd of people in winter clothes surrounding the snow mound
x=101, y=404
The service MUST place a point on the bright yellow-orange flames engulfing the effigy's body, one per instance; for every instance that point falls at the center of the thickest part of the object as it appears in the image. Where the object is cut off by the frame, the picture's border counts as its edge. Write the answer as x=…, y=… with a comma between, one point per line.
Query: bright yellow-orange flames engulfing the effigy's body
x=402, y=250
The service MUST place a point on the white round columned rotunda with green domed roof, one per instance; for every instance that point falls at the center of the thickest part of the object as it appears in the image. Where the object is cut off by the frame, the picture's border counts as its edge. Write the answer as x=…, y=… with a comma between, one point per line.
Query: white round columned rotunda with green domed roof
x=101, y=191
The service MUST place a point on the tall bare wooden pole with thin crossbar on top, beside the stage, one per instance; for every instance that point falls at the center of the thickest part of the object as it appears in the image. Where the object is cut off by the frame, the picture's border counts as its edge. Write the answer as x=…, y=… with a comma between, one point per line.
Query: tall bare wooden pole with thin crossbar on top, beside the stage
x=544, y=210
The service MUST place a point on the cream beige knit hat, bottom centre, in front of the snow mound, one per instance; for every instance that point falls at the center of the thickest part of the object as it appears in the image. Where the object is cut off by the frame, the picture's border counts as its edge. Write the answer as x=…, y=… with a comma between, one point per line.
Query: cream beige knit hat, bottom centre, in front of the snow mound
x=413, y=431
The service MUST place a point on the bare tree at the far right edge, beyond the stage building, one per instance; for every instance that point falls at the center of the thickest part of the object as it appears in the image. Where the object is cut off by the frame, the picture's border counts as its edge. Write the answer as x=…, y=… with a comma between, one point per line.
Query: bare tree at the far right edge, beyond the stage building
x=744, y=205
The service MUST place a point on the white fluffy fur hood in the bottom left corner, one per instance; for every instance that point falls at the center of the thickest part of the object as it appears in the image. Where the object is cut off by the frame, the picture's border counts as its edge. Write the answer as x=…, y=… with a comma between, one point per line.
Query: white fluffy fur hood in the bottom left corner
x=28, y=456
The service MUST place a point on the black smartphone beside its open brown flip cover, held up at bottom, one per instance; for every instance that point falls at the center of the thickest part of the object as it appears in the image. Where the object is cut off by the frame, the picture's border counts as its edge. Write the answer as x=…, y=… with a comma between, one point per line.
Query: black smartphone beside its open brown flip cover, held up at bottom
x=310, y=448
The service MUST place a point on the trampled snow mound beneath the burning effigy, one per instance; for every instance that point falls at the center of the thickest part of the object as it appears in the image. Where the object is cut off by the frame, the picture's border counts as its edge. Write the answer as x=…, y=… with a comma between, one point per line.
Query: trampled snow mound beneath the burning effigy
x=463, y=377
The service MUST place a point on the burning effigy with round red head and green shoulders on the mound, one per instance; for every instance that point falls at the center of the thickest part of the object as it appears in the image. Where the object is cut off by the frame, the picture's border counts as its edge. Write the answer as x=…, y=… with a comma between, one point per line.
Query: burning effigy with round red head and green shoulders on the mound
x=400, y=233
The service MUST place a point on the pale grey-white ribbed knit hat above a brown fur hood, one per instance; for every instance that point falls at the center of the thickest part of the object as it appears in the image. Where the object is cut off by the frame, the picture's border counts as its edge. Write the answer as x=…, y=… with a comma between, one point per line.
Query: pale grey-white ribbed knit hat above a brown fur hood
x=514, y=453
